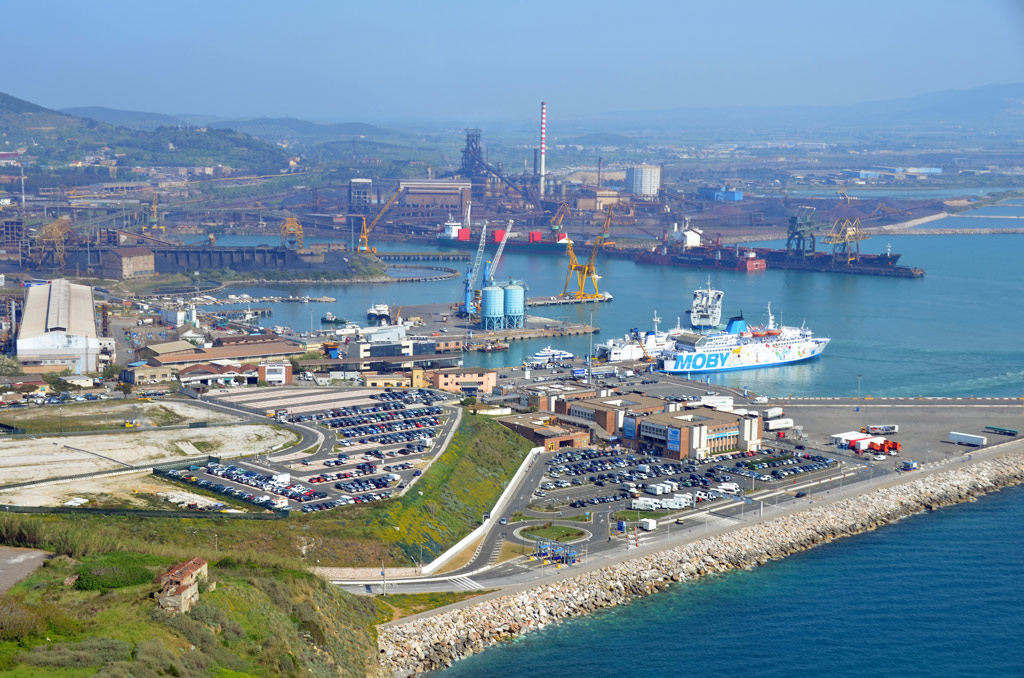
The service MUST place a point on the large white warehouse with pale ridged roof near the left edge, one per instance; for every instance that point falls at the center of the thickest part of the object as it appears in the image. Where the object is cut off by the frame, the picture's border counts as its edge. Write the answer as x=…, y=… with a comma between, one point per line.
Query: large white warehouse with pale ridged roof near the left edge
x=59, y=329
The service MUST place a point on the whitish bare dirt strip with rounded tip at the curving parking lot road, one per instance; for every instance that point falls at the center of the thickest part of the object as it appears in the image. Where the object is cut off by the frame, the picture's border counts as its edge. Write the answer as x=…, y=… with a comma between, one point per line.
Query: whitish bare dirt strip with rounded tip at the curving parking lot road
x=48, y=457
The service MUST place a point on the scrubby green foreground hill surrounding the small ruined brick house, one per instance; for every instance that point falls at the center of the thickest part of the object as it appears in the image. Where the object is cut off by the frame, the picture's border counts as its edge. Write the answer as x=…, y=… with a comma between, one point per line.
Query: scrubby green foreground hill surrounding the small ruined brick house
x=262, y=620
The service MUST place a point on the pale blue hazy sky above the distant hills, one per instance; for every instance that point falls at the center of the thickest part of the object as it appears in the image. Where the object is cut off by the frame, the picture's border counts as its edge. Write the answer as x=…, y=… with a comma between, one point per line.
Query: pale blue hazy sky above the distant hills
x=378, y=61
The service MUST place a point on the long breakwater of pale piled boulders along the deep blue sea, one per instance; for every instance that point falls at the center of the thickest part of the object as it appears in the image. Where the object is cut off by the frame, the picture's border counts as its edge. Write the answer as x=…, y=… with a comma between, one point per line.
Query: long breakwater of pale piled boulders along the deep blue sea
x=409, y=648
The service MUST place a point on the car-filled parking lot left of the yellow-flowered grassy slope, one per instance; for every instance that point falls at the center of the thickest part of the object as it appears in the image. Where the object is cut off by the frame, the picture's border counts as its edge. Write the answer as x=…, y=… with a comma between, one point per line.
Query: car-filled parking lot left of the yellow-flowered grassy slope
x=377, y=443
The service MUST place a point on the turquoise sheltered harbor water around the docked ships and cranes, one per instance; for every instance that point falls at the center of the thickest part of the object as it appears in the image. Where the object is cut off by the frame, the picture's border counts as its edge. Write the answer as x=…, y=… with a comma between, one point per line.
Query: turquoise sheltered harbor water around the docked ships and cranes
x=954, y=332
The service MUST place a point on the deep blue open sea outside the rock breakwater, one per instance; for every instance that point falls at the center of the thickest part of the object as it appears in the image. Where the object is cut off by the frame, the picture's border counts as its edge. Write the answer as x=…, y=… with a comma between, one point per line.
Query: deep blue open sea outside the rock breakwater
x=937, y=595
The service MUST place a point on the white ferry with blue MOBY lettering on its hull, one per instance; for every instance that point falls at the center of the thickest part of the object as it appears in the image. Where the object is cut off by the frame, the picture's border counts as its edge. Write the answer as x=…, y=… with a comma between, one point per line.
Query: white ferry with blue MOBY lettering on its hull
x=741, y=348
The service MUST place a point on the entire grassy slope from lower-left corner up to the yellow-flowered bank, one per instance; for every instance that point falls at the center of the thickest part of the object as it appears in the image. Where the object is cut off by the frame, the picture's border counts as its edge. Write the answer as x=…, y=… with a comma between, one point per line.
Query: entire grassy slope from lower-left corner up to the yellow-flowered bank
x=268, y=617
